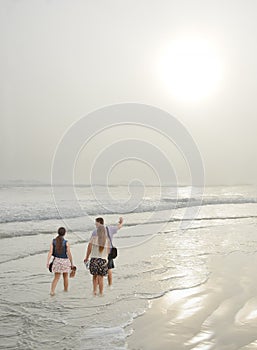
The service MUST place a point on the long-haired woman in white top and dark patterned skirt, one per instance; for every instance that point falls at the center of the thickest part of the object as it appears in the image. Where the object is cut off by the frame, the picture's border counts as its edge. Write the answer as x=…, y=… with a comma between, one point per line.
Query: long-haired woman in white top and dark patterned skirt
x=98, y=250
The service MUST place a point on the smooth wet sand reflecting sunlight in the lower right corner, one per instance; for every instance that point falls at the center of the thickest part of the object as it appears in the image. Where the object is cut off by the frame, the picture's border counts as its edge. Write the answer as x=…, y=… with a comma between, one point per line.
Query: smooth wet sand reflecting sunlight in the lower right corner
x=220, y=314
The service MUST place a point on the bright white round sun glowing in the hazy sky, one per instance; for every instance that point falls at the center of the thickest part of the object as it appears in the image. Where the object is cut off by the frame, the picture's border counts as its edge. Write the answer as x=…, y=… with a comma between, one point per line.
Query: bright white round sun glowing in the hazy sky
x=190, y=69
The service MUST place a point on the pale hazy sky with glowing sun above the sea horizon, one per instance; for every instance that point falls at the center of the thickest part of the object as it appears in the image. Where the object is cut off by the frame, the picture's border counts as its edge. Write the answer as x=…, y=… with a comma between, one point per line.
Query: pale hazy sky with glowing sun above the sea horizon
x=195, y=59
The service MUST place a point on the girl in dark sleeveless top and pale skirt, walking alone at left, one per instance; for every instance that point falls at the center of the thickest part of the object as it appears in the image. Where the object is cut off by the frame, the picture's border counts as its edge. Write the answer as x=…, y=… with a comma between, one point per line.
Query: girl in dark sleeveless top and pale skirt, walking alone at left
x=62, y=263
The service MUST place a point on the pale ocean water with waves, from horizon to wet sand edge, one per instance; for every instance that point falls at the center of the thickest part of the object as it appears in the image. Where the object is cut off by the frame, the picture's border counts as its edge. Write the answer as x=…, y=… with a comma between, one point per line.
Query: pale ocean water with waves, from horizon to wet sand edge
x=166, y=244
